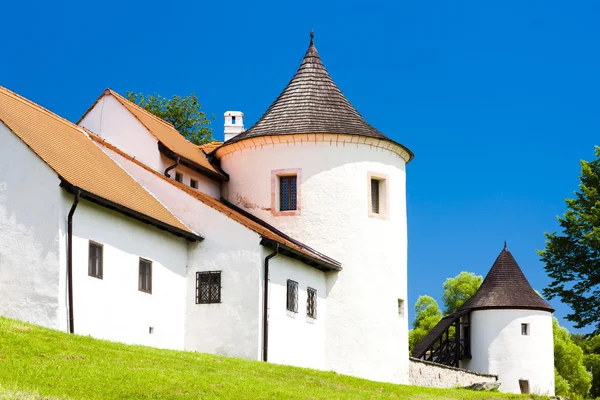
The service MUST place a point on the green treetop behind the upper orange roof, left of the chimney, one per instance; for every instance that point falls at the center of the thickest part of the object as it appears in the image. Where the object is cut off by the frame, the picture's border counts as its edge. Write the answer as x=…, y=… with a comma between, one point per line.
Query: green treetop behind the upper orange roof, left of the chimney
x=184, y=113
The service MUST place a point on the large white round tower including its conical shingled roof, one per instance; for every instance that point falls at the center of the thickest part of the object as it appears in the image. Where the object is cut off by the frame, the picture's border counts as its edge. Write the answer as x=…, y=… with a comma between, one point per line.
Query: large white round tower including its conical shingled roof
x=315, y=169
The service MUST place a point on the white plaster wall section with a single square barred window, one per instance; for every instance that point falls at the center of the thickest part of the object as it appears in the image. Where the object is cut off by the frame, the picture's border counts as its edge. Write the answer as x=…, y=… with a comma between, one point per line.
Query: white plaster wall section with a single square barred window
x=232, y=327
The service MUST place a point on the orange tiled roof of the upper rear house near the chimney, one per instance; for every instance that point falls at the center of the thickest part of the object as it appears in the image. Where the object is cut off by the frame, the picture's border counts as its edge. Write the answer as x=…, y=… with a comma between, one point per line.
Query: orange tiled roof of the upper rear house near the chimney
x=166, y=134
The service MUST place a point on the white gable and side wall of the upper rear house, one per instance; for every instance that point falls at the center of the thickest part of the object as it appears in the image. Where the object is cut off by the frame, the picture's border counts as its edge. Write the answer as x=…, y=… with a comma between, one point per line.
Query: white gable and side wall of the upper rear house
x=110, y=120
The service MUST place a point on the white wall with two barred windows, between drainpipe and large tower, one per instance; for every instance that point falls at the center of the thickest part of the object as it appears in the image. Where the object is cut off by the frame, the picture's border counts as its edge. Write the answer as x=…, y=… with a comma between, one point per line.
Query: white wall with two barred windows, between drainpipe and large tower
x=294, y=338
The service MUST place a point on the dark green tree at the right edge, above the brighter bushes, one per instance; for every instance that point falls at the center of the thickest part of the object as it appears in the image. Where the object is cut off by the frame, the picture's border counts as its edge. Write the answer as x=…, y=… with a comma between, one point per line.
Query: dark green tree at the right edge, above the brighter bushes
x=572, y=257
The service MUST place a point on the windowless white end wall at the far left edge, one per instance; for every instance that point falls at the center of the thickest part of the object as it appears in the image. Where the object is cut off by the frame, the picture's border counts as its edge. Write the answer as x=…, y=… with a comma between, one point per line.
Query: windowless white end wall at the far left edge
x=29, y=239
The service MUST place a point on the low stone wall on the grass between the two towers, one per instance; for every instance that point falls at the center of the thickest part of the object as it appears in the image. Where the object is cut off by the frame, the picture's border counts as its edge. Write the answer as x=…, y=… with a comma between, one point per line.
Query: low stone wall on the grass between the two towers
x=425, y=373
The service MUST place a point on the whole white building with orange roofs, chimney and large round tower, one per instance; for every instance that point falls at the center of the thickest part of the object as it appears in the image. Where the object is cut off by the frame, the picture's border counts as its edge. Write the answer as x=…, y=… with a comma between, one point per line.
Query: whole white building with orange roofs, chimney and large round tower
x=211, y=248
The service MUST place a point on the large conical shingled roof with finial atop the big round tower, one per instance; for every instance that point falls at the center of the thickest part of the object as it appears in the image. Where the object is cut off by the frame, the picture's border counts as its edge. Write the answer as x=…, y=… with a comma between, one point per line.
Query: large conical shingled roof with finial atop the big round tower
x=311, y=103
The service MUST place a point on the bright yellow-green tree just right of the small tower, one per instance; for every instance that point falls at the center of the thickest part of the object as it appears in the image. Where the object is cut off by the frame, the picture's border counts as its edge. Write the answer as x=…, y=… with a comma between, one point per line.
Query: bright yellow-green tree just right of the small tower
x=568, y=362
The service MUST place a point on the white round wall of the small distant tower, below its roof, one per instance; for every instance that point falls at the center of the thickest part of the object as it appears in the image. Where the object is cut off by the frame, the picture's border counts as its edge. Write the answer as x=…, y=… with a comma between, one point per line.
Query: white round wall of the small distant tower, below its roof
x=498, y=347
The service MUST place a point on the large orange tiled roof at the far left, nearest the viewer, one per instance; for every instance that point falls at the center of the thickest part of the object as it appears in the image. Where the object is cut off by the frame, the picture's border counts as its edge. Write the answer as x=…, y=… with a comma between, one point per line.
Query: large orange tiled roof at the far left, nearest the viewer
x=68, y=150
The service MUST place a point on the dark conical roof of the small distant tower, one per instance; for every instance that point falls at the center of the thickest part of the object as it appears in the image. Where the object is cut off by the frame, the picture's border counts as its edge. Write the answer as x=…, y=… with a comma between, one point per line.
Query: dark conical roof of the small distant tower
x=505, y=286
